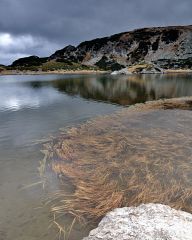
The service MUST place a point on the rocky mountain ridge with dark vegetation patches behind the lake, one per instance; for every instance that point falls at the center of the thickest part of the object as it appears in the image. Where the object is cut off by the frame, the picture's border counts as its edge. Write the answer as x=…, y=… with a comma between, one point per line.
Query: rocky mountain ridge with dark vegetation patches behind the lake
x=166, y=47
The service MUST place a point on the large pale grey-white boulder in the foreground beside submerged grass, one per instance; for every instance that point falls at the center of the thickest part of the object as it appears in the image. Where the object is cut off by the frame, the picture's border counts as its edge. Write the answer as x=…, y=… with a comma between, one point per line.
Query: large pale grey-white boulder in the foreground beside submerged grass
x=146, y=222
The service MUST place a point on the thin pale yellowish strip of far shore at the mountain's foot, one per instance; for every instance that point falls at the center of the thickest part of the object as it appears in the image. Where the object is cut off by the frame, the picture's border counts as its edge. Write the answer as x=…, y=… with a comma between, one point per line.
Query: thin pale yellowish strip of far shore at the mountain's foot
x=16, y=72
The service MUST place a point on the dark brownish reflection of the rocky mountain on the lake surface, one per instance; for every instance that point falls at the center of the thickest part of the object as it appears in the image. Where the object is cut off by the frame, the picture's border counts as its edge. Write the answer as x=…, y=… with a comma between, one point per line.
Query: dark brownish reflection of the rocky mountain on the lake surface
x=126, y=90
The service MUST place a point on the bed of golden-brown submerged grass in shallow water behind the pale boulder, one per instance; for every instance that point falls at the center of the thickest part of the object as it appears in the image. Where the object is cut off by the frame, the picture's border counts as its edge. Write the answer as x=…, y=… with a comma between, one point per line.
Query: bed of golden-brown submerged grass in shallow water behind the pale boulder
x=139, y=155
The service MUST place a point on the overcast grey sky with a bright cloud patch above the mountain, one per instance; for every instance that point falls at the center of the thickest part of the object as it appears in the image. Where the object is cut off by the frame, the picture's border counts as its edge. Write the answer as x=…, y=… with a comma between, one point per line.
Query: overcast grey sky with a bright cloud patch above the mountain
x=39, y=27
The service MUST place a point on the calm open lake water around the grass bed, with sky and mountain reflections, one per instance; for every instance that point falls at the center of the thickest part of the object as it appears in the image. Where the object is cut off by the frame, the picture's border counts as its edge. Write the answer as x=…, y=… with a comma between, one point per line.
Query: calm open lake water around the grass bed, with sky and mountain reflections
x=35, y=107
